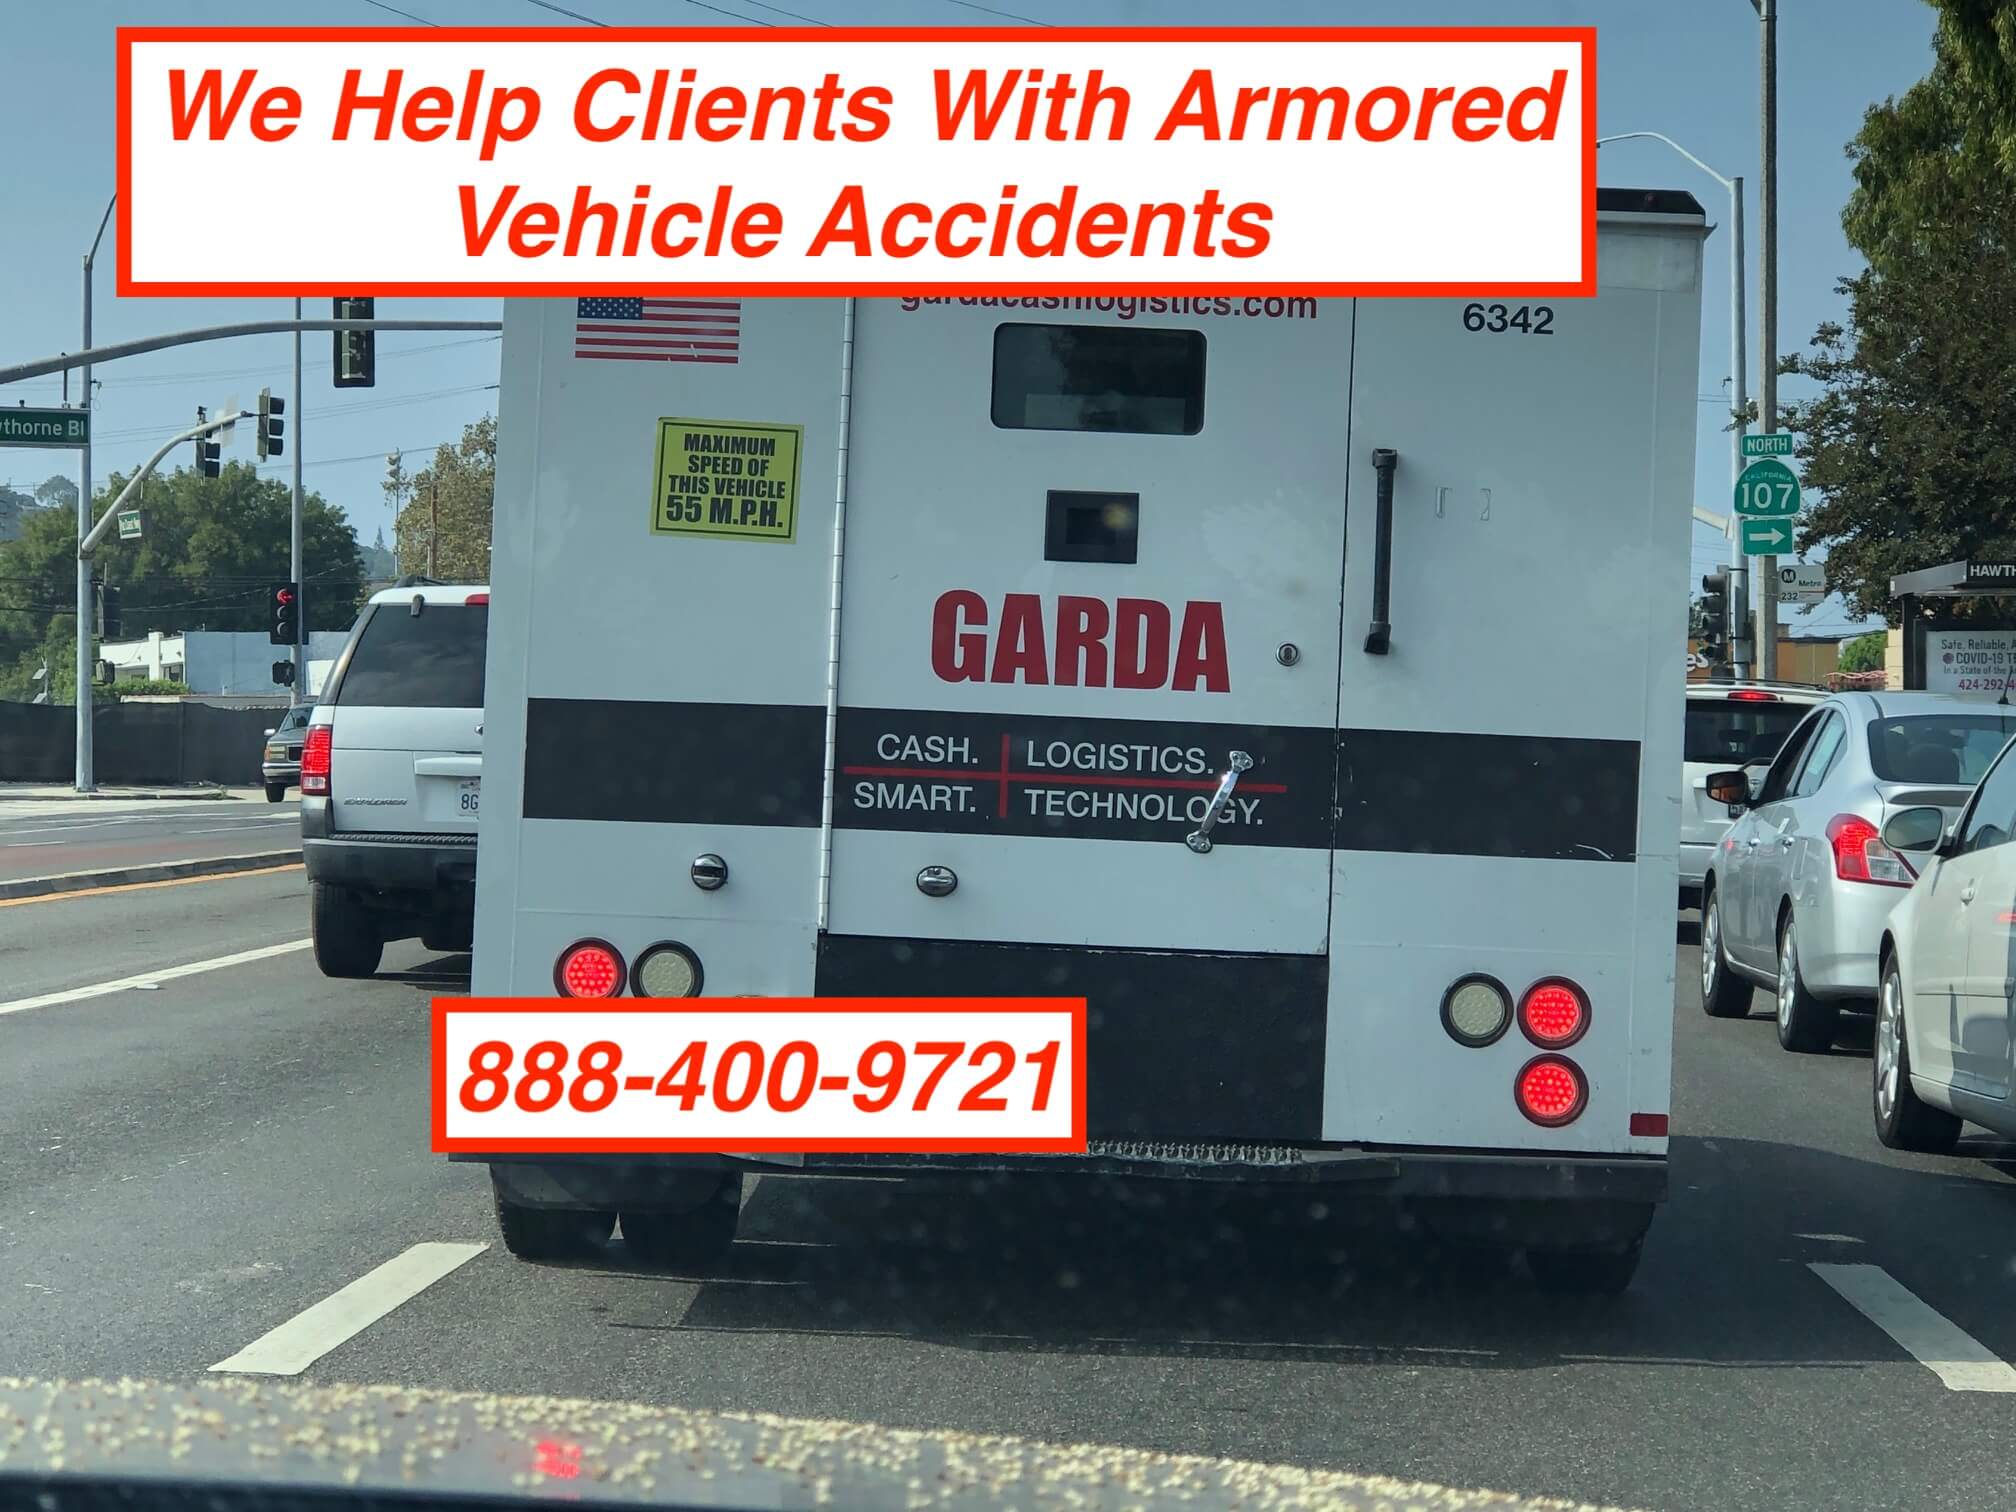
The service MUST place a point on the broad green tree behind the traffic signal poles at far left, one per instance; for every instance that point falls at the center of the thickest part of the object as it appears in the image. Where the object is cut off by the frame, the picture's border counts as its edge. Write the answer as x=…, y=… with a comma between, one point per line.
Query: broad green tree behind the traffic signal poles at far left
x=209, y=551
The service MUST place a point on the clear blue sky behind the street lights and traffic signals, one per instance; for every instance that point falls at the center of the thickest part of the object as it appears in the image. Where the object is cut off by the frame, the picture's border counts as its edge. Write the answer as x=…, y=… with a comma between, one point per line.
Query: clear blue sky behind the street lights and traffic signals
x=1682, y=68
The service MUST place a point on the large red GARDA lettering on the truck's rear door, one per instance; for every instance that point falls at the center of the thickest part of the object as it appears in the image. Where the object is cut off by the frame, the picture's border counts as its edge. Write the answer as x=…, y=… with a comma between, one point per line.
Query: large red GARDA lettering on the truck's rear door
x=1080, y=642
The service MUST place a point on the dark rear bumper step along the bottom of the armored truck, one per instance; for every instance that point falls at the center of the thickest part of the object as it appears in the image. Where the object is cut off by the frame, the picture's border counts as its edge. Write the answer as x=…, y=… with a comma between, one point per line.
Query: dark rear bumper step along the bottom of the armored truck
x=1368, y=1172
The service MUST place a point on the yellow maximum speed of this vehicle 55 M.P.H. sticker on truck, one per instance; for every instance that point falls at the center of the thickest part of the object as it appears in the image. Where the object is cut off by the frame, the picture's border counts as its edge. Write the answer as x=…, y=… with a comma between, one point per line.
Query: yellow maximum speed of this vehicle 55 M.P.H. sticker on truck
x=729, y=479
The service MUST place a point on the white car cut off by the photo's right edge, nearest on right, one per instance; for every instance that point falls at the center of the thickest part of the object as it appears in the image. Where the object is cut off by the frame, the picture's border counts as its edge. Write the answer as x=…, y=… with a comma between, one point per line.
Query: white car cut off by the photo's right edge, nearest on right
x=1948, y=973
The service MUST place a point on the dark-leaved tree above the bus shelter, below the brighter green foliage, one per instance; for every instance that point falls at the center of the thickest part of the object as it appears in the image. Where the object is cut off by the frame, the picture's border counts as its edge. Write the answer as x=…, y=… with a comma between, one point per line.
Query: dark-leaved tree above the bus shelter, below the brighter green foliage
x=1910, y=447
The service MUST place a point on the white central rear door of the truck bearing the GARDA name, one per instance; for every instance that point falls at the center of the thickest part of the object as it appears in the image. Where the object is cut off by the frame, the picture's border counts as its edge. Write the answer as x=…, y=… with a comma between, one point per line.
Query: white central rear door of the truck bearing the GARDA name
x=1094, y=563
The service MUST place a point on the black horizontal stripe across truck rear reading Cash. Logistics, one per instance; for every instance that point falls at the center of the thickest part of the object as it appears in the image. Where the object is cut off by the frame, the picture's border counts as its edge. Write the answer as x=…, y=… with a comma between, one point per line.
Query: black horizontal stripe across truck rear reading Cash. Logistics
x=928, y=771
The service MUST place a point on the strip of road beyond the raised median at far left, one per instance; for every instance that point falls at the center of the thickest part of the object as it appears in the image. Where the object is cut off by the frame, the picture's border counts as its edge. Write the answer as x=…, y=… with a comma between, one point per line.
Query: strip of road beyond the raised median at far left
x=47, y=840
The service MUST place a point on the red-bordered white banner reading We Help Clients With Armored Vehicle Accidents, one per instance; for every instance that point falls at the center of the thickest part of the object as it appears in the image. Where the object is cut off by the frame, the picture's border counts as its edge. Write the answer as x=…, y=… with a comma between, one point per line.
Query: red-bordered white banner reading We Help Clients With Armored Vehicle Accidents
x=896, y=160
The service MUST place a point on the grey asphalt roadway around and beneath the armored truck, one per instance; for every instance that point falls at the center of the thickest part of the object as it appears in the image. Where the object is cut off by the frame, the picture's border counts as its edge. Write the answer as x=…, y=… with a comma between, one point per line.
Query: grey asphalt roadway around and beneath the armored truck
x=191, y=1166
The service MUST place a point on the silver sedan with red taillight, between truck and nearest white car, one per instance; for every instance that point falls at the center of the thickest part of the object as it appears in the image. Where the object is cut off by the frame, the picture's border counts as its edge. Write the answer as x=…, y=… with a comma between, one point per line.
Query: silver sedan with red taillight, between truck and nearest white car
x=1797, y=892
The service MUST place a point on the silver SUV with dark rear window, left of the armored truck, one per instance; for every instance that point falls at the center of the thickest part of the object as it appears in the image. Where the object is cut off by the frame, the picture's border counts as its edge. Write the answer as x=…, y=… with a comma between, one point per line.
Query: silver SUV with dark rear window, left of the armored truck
x=392, y=779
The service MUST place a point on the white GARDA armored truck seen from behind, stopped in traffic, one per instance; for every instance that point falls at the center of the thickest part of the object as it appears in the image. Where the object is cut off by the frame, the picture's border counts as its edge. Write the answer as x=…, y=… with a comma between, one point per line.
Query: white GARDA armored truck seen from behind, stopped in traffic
x=1295, y=680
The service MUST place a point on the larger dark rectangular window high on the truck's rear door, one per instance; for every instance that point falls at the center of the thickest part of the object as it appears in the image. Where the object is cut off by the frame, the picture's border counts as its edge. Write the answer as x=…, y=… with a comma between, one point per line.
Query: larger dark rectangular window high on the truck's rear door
x=1096, y=378
